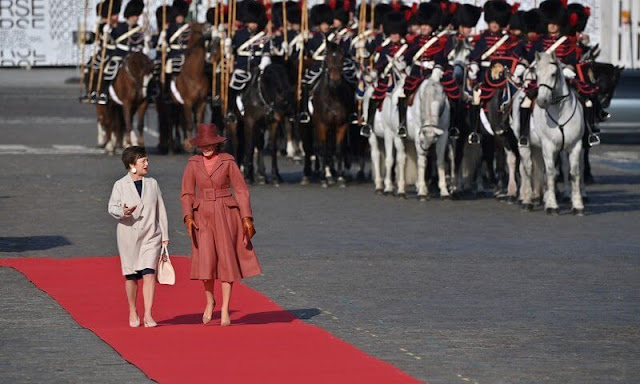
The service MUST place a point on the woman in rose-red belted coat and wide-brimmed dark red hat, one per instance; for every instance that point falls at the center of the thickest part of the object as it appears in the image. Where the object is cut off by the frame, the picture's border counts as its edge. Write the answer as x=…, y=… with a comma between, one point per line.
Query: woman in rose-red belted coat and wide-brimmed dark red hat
x=220, y=225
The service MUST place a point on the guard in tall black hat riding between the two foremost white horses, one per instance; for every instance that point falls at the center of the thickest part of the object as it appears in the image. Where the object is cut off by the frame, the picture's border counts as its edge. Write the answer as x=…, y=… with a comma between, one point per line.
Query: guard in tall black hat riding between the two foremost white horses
x=497, y=52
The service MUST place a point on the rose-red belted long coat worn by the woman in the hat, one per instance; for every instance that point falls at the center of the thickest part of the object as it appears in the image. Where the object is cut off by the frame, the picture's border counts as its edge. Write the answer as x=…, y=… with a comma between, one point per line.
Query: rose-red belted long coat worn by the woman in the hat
x=220, y=249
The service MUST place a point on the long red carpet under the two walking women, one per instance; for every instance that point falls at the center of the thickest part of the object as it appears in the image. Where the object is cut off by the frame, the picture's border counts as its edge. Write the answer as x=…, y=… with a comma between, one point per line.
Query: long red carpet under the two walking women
x=265, y=343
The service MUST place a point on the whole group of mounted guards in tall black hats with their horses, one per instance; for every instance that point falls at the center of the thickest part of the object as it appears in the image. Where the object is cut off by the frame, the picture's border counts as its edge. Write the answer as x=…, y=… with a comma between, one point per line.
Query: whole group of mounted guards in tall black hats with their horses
x=416, y=88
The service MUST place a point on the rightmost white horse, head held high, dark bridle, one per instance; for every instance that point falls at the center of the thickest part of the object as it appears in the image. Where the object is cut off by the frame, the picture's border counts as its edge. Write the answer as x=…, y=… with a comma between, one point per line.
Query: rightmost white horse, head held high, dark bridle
x=557, y=125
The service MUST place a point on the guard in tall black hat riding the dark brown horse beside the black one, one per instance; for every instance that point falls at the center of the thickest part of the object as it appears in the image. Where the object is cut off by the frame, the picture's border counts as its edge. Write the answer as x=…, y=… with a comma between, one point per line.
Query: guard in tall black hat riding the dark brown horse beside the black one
x=322, y=19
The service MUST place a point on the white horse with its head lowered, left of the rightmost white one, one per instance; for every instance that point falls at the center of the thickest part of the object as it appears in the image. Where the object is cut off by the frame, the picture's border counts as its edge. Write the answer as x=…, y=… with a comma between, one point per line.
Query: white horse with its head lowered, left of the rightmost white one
x=428, y=124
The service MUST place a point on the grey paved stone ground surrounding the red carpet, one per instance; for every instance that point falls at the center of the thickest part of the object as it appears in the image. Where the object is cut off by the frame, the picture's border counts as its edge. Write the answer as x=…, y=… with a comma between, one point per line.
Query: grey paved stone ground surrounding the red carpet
x=462, y=291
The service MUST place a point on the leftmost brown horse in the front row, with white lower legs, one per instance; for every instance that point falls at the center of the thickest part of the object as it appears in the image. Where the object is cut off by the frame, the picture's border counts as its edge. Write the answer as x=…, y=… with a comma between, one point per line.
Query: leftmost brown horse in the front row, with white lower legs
x=129, y=90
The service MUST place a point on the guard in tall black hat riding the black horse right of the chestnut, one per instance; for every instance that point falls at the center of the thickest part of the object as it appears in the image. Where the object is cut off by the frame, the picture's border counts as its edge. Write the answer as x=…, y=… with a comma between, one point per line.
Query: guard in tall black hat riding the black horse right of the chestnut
x=250, y=47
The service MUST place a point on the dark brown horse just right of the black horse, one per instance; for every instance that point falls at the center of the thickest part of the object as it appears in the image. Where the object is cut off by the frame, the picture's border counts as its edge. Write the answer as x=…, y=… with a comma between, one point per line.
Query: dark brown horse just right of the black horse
x=332, y=103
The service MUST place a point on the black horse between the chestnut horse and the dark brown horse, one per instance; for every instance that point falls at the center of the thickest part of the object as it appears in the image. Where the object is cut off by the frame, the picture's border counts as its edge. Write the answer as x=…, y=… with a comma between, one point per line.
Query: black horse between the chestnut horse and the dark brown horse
x=267, y=100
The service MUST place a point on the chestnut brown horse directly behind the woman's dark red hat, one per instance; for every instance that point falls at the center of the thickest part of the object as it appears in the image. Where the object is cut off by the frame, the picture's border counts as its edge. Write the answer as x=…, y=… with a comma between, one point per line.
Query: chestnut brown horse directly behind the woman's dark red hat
x=192, y=86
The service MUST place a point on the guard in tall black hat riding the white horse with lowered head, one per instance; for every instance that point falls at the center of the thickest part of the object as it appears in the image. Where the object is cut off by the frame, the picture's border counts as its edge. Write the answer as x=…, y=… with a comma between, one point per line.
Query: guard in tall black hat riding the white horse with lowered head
x=426, y=56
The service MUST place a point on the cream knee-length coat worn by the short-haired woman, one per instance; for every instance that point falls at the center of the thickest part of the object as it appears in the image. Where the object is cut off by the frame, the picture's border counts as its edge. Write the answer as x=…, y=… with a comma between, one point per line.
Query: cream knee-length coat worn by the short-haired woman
x=139, y=235
